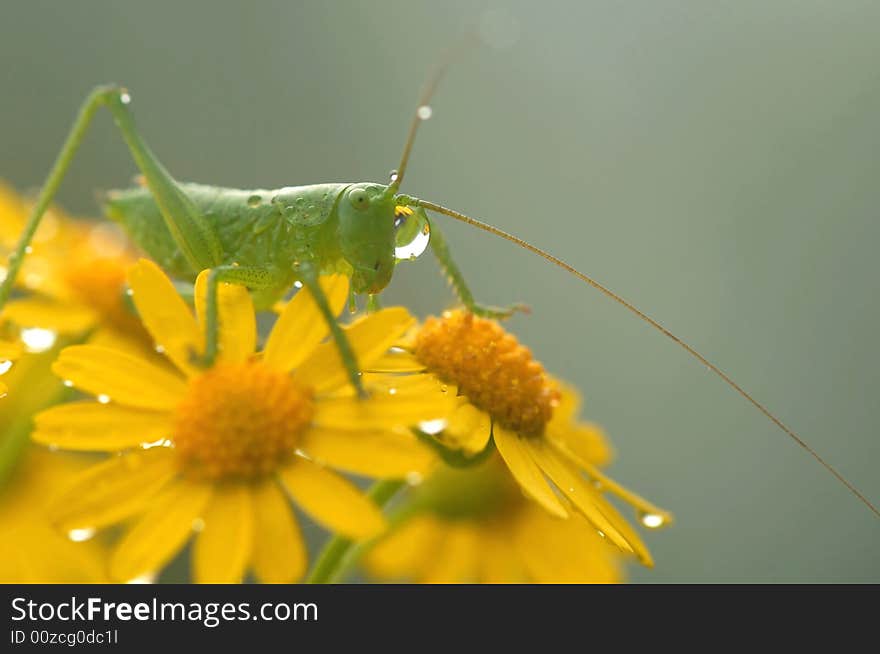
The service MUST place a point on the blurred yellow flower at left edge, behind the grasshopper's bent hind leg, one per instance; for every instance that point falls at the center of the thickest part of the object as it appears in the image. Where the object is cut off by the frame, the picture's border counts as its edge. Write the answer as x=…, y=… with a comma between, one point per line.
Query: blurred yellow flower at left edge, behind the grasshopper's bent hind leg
x=74, y=274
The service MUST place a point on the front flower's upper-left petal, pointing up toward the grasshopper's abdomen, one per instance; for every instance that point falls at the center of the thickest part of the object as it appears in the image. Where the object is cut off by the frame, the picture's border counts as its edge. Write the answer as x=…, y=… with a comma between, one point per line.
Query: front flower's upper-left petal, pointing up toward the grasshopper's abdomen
x=165, y=315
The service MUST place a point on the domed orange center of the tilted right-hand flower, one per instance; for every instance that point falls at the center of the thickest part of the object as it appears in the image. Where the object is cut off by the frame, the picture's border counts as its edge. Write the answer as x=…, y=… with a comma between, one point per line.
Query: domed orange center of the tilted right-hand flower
x=490, y=367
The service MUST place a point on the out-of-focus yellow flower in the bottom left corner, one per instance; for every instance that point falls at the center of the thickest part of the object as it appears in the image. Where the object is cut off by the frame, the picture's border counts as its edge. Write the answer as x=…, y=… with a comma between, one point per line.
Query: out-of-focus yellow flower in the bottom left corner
x=31, y=550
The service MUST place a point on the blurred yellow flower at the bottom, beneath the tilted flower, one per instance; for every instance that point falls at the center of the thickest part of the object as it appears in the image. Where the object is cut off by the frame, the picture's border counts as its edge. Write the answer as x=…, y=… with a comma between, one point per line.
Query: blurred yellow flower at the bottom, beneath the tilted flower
x=475, y=526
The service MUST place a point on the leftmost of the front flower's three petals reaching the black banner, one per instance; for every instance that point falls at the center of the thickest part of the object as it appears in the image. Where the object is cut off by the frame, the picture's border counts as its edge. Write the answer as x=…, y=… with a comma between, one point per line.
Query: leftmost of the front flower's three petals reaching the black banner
x=161, y=532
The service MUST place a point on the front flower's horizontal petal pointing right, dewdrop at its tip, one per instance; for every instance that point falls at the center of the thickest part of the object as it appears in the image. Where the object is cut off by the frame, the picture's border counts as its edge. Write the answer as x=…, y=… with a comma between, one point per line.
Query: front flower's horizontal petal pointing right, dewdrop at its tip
x=380, y=411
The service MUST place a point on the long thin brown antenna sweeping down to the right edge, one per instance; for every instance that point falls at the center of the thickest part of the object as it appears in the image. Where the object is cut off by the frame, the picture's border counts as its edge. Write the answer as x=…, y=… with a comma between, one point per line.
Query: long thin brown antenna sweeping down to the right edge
x=656, y=325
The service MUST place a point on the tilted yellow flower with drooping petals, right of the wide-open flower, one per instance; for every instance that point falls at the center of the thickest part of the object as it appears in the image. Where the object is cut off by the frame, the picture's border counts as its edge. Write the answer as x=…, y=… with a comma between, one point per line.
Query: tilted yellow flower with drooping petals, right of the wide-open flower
x=503, y=392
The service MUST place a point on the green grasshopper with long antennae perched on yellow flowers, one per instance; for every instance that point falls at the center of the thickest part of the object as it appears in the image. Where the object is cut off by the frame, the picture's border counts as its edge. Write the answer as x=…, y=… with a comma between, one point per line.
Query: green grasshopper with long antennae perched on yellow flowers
x=268, y=240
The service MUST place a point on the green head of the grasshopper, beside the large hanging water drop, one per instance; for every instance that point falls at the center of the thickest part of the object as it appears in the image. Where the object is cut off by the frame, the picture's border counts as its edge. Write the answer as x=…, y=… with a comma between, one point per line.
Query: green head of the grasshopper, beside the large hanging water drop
x=366, y=235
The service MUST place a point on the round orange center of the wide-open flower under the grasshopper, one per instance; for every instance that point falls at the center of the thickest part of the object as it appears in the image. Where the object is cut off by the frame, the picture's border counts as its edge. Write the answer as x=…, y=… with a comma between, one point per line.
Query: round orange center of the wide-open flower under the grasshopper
x=240, y=421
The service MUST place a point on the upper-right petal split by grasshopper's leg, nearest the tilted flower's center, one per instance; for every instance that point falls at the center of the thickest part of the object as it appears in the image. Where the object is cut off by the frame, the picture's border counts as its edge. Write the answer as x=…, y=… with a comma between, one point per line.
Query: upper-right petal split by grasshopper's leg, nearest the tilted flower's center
x=369, y=337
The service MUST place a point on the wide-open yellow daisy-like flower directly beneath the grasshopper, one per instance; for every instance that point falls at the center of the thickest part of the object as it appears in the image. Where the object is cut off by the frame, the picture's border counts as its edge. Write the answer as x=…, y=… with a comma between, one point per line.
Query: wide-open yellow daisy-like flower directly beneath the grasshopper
x=217, y=450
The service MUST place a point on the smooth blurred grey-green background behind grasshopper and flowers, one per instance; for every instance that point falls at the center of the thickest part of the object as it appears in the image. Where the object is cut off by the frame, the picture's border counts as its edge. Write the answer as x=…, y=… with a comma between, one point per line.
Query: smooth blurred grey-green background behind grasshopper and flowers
x=716, y=163
